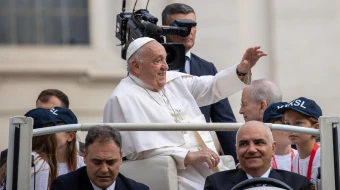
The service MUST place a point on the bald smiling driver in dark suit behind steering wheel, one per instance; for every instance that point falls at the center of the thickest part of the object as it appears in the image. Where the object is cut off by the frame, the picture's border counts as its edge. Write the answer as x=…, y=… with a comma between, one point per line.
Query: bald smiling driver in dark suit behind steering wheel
x=255, y=148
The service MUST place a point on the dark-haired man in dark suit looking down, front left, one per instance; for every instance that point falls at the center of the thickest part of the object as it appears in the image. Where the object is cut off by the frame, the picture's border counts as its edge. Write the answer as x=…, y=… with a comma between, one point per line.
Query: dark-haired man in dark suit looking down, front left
x=103, y=158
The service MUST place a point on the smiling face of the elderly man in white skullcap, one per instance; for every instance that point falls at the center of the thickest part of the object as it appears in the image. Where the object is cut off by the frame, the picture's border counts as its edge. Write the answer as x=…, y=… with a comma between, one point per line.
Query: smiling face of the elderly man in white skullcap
x=153, y=69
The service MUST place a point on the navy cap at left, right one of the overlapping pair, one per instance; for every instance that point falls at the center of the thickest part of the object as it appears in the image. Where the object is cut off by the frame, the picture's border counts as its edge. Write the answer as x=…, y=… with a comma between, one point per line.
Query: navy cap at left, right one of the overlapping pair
x=64, y=115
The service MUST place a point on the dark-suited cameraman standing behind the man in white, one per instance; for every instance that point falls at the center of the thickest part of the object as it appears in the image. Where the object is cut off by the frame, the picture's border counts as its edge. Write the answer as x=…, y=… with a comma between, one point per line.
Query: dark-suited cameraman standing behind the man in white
x=220, y=111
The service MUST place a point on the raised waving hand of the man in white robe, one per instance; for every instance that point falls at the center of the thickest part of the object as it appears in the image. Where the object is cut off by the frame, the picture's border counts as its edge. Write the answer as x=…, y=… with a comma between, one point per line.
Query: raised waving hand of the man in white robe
x=249, y=59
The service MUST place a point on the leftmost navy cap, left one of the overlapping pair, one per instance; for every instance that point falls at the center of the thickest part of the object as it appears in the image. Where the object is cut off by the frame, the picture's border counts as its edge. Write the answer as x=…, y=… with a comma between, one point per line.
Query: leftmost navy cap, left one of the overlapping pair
x=41, y=117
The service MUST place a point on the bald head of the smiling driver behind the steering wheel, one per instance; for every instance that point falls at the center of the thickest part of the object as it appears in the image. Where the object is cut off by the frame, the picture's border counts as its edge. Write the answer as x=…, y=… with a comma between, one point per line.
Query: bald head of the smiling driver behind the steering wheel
x=254, y=148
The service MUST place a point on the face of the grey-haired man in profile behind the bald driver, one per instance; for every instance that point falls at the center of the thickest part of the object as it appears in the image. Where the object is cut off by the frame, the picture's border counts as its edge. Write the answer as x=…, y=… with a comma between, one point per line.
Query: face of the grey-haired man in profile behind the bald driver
x=250, y=109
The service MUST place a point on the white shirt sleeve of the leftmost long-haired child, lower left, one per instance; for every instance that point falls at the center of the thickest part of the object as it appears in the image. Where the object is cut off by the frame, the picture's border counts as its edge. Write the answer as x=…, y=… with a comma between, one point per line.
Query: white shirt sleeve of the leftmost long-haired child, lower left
x=39, y=181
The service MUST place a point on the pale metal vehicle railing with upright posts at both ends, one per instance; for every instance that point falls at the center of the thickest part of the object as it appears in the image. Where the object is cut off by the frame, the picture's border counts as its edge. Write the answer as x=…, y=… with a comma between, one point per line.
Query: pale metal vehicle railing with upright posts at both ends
x=21, y=133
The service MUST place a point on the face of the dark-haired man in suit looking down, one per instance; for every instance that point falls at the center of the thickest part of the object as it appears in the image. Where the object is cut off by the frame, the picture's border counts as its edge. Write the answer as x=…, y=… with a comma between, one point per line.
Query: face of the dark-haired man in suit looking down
x=103, y=160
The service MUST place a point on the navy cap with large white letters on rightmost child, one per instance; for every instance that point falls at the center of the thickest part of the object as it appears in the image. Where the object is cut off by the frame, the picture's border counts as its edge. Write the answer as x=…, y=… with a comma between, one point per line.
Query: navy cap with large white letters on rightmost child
x=304, y=106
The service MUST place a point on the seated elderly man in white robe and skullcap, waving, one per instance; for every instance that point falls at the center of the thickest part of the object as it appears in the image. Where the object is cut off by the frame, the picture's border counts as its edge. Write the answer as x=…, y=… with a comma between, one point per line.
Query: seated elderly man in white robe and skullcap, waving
x=151, y=94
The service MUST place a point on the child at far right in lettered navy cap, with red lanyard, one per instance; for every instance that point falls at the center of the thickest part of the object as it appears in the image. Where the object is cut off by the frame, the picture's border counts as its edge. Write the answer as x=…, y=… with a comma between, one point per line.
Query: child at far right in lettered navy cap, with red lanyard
x=304, y=112
